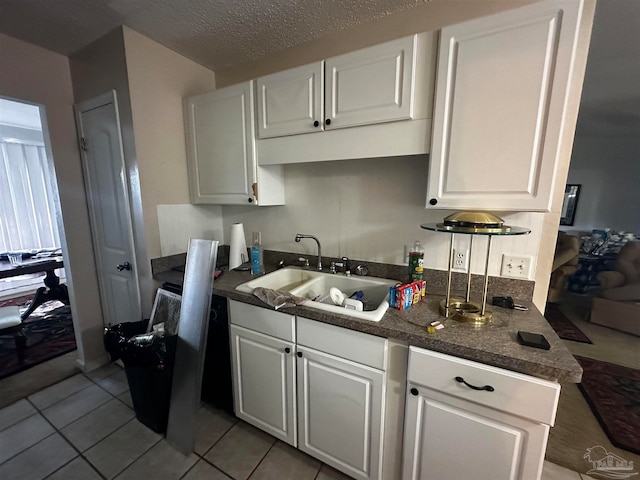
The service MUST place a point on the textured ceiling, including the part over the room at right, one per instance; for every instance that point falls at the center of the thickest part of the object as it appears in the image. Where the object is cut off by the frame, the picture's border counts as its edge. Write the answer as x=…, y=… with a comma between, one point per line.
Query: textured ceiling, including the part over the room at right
x=223, y=33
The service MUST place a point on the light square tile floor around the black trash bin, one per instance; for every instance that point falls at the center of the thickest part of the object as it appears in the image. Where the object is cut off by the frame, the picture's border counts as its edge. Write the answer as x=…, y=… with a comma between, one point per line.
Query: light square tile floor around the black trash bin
x=85, y=428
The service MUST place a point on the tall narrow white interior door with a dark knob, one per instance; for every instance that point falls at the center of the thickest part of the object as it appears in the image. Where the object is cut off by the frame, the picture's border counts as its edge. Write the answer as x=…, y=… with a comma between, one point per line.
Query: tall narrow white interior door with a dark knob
x=105, y=181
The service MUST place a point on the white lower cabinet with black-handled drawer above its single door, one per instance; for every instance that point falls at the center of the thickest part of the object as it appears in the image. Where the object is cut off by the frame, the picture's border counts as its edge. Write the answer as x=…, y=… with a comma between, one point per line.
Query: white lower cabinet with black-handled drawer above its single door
x=468, y=420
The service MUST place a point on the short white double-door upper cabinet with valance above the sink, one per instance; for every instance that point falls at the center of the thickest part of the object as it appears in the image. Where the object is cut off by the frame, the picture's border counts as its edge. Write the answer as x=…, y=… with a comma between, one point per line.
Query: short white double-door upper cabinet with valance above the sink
x=374, y=102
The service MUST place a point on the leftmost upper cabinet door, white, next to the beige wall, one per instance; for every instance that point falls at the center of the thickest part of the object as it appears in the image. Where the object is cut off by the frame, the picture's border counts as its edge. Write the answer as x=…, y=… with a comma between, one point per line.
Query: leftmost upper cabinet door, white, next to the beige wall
x=221, y=145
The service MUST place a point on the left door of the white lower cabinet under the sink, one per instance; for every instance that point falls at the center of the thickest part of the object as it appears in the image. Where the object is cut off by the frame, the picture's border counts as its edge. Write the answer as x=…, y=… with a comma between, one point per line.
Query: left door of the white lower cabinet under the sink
x=264, y=388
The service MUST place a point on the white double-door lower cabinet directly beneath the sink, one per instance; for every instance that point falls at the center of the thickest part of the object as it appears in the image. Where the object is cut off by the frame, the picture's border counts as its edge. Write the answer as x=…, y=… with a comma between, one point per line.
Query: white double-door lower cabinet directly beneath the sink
x=349, y=388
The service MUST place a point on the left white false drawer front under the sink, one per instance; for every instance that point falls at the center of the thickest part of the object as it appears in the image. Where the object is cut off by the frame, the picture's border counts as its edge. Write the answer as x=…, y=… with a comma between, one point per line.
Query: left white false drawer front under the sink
x=275, y=324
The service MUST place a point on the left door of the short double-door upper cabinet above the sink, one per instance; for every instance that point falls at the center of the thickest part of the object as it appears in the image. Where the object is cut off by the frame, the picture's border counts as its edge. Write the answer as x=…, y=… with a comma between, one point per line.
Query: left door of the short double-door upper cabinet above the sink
x=290, y=102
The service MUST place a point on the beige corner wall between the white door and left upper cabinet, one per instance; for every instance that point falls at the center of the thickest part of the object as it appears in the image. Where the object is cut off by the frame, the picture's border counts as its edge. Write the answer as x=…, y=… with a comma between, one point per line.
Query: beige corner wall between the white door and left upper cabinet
x=150, y=82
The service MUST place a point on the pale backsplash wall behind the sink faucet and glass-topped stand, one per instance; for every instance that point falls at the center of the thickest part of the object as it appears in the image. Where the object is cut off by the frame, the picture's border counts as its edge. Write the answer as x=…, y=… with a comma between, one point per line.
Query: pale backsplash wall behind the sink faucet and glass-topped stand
x=370, y=209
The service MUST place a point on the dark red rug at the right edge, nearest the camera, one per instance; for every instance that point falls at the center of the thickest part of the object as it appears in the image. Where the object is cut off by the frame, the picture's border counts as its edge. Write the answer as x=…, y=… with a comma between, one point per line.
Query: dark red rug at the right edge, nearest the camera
x=613, y=393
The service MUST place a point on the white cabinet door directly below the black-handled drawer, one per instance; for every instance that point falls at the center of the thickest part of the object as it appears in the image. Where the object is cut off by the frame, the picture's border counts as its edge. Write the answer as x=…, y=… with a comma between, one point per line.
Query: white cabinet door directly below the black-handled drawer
x=450, y=439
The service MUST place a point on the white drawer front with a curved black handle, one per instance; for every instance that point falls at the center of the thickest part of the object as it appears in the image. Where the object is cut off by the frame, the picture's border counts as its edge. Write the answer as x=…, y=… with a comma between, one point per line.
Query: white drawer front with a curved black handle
x=513, y=393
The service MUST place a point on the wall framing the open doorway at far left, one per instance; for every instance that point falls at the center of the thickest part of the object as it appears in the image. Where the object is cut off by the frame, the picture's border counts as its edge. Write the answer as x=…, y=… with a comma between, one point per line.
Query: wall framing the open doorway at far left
x=36, y=75
